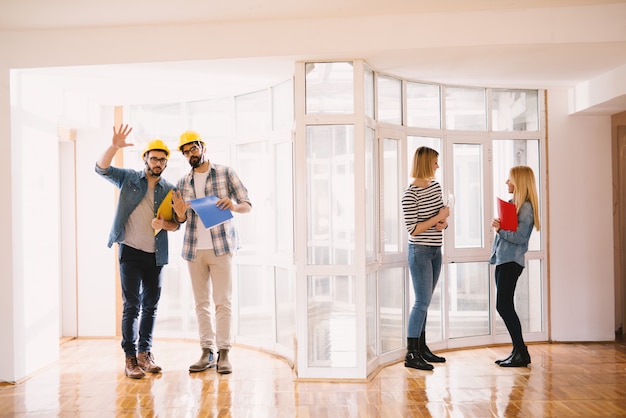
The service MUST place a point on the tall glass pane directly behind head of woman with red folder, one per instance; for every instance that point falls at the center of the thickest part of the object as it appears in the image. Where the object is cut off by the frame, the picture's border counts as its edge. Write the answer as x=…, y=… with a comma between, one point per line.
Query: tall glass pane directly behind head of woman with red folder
x=508, y=153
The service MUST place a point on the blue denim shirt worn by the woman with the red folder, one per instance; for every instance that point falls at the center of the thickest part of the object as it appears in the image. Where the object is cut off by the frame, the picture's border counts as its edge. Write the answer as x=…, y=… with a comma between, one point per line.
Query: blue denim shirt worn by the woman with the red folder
x=513, y=245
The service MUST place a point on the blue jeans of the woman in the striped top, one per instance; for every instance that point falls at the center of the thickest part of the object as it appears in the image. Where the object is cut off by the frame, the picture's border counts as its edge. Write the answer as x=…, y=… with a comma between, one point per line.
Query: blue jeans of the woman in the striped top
x=424, y=266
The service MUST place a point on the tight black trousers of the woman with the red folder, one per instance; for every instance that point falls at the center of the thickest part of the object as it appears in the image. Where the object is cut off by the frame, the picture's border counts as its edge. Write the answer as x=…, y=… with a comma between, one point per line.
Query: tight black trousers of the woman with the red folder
x=506, y=281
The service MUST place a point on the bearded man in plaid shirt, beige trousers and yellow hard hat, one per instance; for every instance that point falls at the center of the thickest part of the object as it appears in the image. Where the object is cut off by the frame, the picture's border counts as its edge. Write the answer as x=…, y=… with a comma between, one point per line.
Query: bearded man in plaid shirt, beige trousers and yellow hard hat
x=209, y=251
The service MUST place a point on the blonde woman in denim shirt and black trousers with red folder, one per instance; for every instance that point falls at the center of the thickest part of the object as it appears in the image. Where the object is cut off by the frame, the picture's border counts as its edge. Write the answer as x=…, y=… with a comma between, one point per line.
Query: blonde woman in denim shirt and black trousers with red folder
x=508, y=255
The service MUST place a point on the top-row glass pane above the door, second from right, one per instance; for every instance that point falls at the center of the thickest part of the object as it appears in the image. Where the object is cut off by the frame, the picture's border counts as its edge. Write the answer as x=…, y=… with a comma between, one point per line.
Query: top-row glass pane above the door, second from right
x=466, y=109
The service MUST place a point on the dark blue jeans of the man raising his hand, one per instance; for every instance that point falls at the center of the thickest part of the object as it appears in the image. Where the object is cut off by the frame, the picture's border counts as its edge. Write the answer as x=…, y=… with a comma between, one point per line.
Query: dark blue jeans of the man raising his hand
x=141, y=291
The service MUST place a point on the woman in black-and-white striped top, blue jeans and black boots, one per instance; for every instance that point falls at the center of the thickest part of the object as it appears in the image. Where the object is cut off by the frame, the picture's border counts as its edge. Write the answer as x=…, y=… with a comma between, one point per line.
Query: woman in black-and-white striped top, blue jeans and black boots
x=425, y=217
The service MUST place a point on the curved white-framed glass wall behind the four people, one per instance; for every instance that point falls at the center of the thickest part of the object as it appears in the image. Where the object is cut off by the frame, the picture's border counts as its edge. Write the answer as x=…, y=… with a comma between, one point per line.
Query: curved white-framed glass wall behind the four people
x=321, y=276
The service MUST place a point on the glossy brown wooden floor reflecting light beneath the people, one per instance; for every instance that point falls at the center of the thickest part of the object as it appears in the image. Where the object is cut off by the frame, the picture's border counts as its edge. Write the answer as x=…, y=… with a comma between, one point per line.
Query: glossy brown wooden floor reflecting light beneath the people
x=564, y=380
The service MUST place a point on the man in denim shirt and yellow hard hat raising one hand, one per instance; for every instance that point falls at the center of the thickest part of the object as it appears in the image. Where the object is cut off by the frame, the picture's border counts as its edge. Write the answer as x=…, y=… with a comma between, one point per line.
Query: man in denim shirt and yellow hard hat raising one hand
x=140, y=230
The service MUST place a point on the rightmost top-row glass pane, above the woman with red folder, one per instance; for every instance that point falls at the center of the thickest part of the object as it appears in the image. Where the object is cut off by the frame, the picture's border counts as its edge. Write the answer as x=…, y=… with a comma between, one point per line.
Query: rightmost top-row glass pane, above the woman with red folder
x=515, y=110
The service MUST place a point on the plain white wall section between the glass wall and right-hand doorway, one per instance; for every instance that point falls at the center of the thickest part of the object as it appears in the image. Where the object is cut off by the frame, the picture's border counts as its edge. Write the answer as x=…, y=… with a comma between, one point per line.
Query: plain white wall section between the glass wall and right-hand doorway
x=580, y=224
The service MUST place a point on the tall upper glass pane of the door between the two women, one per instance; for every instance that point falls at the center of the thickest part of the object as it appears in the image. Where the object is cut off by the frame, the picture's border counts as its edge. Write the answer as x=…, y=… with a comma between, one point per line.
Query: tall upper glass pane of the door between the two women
x=468, y=196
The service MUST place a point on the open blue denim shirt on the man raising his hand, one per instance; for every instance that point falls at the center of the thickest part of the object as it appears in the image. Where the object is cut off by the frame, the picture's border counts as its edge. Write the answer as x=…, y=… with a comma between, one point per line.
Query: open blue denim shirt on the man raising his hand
x=133, y=187
